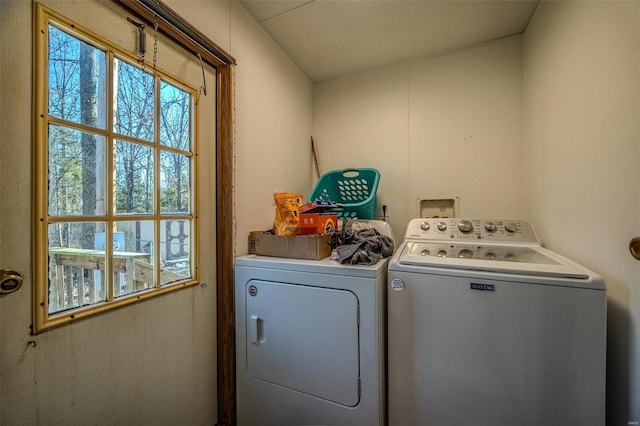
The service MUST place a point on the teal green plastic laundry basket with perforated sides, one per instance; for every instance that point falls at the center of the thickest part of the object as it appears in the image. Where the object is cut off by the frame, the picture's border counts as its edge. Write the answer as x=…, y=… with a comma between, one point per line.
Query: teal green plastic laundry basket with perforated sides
x=355, y=189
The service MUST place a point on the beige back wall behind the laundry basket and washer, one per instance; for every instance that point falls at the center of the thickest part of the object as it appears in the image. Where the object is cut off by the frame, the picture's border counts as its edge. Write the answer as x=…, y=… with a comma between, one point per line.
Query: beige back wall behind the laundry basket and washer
x=445, y=127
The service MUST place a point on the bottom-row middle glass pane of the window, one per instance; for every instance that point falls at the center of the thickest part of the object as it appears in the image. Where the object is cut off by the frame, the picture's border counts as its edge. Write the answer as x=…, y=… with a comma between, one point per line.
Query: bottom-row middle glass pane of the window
x=133, y=265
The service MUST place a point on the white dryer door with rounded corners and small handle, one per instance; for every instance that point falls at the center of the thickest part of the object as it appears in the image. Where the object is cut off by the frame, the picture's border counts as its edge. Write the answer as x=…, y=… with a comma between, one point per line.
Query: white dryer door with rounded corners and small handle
x=304, y=338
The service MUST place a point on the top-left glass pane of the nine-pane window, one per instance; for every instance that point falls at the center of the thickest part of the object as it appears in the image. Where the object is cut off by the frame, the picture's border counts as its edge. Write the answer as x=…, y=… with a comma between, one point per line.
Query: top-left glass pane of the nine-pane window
x=77, y=88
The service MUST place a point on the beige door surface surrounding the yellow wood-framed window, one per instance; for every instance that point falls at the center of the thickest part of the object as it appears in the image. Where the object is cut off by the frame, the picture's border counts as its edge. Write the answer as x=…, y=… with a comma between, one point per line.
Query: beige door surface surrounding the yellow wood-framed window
x=151, y=362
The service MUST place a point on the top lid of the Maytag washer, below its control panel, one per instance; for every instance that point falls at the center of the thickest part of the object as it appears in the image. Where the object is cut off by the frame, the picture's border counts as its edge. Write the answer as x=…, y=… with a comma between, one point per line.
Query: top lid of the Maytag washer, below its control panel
x=519, y=259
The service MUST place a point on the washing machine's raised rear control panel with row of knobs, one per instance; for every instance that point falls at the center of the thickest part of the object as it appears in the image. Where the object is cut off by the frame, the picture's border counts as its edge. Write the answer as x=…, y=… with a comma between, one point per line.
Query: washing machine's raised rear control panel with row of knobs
x=461, y=229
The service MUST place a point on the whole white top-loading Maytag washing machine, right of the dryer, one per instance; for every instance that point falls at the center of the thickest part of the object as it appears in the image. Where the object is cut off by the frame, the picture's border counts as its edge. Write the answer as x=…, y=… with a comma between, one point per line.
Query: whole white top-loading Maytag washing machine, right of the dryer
x=486, y=327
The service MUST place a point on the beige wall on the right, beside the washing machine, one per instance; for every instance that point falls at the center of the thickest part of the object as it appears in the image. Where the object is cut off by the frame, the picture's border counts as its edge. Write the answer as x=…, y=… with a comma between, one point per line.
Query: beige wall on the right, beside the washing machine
x=582, y=136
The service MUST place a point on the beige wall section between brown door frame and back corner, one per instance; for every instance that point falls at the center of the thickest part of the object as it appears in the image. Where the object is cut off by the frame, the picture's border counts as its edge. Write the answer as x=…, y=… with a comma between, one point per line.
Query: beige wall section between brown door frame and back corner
x=273, y=113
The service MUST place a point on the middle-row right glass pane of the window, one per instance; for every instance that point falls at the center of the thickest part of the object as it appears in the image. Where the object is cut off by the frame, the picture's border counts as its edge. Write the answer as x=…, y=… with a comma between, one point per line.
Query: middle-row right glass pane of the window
x=175, y=183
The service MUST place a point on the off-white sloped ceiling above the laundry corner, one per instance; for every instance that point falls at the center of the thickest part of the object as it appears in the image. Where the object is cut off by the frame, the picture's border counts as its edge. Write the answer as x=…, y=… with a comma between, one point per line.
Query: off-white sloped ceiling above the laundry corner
x=333, y=38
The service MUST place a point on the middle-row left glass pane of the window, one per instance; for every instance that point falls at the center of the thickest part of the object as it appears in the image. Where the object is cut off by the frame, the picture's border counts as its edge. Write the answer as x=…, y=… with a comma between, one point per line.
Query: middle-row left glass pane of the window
x=76, y=172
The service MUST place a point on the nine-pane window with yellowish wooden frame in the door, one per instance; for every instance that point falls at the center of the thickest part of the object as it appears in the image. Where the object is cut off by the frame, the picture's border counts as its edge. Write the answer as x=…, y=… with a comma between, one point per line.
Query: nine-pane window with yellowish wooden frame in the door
x=115, y=175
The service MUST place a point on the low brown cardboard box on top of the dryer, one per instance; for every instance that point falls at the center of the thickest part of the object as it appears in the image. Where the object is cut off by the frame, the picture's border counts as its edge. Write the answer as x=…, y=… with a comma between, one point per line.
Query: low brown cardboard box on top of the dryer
x=313, y=247
